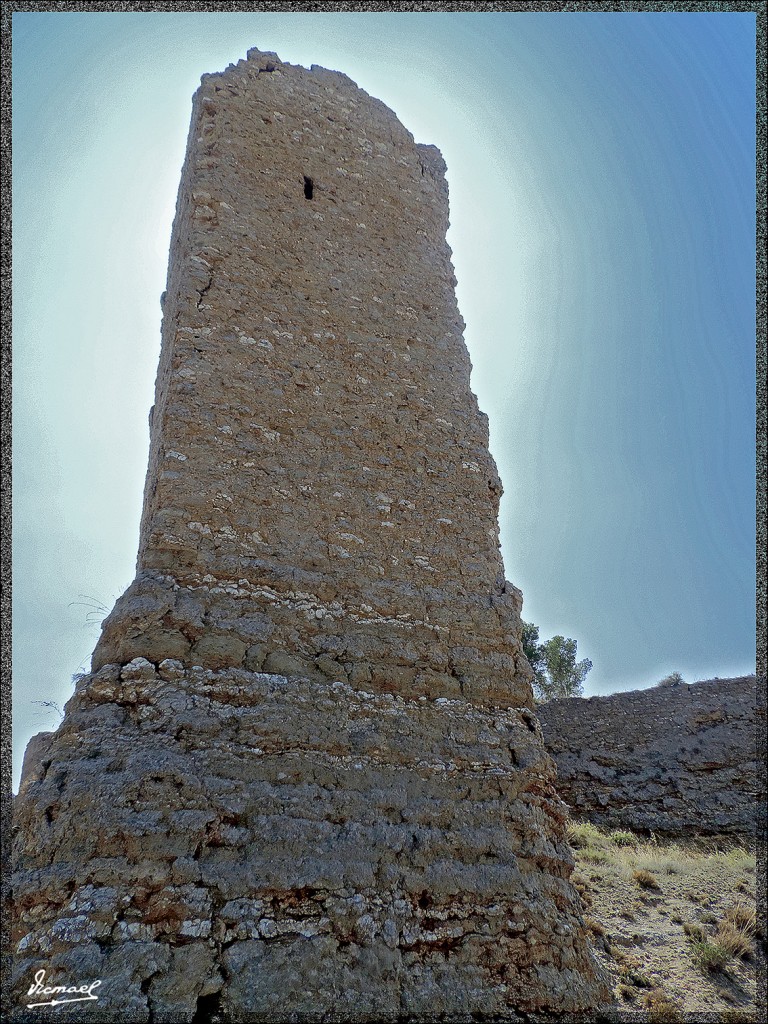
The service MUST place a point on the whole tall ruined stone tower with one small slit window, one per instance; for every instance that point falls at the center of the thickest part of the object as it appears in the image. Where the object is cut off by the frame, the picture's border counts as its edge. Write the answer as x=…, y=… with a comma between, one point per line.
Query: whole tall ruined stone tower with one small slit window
x=304, y=781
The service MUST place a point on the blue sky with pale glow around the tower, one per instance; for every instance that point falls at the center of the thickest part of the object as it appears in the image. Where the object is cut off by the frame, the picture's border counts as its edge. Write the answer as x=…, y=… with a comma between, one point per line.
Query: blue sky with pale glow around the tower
x=603, y=206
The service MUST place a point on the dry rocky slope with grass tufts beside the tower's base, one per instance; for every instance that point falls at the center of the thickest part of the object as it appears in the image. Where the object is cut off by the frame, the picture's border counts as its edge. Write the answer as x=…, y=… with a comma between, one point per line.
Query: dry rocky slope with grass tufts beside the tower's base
x=675, y=923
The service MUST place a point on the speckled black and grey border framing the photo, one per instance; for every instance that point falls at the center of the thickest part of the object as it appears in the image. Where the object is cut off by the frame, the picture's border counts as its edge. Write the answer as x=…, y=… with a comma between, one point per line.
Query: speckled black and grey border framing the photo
x=8, y=11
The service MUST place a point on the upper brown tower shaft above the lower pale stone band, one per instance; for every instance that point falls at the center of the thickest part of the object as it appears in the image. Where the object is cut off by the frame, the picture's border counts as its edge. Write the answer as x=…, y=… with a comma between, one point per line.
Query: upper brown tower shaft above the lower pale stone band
x=315, y=441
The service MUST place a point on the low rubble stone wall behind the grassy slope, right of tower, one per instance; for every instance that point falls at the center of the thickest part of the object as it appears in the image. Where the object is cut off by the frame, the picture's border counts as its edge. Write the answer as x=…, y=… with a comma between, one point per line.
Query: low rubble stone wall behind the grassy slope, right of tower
x=669, y=759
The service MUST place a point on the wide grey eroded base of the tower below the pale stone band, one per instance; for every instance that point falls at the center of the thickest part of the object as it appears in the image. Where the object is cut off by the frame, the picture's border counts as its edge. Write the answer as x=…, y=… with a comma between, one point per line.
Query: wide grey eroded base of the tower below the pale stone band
x=285, y=850
